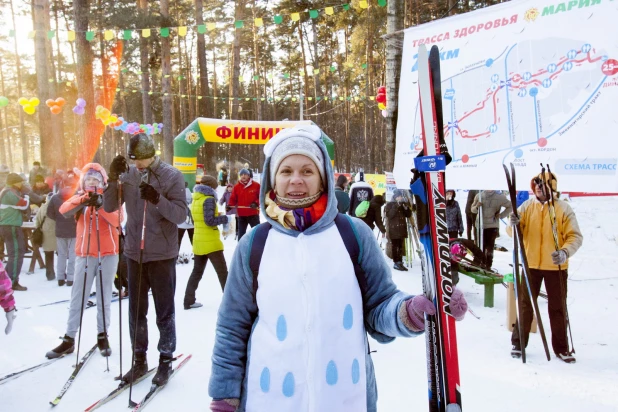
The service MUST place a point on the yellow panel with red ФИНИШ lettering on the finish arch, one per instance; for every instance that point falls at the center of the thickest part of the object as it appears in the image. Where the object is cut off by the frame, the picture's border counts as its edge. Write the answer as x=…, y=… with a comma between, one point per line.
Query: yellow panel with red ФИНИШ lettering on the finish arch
x=242, y=132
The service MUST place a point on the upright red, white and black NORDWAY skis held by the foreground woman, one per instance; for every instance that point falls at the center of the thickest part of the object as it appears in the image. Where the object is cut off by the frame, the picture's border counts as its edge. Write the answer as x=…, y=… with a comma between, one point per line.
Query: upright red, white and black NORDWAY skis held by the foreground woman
x=429, y=191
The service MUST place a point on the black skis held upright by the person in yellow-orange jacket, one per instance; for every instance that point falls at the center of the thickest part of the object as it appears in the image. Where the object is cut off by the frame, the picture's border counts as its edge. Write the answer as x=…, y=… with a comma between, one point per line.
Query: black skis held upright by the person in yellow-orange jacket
x=518, y=237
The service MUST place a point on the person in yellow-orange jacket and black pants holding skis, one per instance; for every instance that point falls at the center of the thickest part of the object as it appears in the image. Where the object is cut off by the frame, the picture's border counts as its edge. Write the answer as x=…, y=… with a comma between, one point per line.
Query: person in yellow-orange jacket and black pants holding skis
x=545, y=262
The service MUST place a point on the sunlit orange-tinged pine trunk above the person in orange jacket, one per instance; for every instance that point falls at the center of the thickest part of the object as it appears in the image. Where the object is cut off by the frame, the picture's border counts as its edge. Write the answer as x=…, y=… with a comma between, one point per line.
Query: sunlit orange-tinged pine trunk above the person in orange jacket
x=85, y=87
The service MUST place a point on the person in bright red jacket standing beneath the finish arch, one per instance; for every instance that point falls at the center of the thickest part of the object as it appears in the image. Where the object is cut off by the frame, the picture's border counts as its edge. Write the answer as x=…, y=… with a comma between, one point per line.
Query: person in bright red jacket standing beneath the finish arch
x=246, y=199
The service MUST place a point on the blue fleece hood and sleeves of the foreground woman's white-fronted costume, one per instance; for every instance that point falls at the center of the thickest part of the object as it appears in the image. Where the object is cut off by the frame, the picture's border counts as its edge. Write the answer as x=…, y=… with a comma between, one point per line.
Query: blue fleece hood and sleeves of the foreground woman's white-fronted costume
x=238, y=313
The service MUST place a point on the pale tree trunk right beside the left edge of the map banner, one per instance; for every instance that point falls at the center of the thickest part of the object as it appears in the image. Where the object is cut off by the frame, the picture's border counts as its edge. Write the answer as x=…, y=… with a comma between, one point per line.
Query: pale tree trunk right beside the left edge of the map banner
x=393, y=74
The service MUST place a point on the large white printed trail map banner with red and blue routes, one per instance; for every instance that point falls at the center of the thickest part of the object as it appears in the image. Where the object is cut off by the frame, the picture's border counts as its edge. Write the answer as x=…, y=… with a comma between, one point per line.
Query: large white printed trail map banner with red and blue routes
x=523, y=82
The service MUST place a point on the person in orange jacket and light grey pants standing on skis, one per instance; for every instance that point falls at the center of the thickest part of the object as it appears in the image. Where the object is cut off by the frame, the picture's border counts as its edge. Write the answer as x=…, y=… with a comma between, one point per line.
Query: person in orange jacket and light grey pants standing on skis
x=97, y=234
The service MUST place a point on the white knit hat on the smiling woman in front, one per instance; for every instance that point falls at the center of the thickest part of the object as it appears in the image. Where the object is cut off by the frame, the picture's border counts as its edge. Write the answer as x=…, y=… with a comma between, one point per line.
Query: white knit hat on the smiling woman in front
x=296, y=144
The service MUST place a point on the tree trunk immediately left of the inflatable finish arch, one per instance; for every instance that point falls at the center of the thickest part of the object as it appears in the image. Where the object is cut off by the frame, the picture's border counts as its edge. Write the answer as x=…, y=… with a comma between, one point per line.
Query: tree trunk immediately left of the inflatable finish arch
x=166, y=88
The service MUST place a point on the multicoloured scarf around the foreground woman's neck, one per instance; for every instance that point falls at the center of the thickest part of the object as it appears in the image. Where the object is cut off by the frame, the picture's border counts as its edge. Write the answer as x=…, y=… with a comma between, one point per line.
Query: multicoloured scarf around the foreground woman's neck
x=299, y=219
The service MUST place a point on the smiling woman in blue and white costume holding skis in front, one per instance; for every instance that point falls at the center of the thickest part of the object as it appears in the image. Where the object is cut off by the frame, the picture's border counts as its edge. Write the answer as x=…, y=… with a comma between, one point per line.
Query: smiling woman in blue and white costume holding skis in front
x=297, y=341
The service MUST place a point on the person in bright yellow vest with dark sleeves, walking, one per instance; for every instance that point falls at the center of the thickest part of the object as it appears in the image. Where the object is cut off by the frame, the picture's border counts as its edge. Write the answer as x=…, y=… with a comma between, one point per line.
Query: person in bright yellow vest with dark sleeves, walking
x=206, y=238
